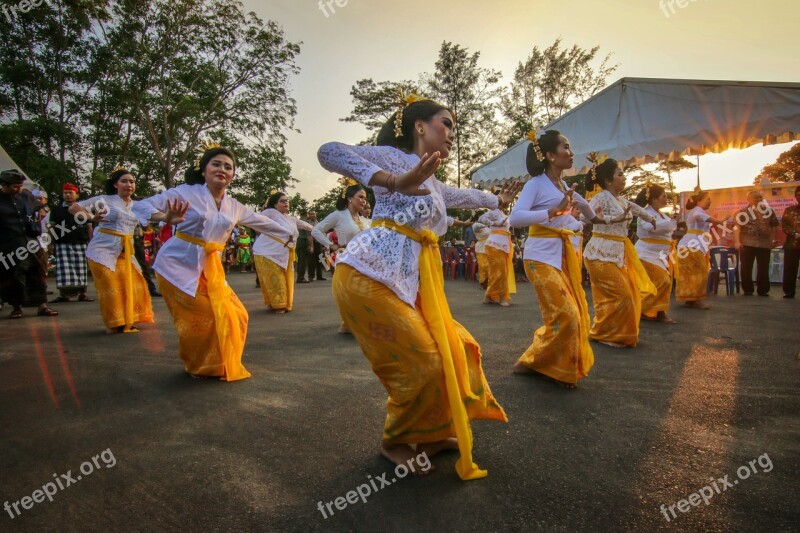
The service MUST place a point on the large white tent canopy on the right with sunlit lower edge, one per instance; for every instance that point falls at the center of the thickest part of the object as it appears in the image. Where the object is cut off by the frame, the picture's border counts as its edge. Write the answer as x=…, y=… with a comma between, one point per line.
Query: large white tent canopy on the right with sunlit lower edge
x=641, y=120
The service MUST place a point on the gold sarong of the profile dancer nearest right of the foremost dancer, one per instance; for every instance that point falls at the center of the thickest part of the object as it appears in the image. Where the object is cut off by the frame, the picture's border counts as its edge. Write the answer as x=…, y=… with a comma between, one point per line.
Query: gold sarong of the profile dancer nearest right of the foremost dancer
x=559, y=348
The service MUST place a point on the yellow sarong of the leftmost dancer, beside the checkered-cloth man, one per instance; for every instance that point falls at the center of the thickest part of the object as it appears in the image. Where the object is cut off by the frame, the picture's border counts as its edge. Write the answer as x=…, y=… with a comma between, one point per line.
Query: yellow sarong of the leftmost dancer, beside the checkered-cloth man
x=113, y=295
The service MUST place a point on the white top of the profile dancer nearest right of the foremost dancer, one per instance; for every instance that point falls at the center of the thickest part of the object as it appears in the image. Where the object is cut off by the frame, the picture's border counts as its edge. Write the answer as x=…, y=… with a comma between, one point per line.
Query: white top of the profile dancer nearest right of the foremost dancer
x=538, y=195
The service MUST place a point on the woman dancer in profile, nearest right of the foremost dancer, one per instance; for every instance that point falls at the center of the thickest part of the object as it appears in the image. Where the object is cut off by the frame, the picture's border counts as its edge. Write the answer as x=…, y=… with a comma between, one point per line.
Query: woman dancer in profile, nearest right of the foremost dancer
x=560, y=347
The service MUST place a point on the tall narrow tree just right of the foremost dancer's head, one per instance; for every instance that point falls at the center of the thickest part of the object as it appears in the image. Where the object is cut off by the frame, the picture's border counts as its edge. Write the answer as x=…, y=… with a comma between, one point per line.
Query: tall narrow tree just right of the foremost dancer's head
x=470, y=91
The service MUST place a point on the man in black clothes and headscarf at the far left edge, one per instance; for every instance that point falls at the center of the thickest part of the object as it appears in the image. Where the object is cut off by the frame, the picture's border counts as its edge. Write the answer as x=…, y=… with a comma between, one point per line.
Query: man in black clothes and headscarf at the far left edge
x=20, y=268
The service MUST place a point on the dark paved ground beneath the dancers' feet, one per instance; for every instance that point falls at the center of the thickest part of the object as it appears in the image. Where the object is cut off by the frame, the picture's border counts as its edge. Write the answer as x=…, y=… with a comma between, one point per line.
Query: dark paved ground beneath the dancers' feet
x=650, y=426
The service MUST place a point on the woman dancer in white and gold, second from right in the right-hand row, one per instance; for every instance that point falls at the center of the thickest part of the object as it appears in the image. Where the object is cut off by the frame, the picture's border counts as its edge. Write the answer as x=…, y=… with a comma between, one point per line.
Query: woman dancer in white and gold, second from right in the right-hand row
x=654, y=247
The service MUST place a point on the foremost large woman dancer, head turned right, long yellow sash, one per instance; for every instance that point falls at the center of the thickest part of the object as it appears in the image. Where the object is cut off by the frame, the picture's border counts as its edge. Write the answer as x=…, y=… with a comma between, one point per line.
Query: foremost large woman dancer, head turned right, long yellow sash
x=389, y=287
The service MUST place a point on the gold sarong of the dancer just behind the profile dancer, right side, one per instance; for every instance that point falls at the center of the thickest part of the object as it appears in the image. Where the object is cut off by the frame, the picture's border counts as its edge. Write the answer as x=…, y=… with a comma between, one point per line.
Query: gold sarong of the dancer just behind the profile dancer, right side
x=617, y=303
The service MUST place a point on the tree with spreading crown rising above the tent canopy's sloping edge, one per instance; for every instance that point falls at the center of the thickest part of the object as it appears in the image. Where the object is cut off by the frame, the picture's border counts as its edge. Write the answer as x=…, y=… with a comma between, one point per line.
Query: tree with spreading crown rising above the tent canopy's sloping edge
x=549, y=83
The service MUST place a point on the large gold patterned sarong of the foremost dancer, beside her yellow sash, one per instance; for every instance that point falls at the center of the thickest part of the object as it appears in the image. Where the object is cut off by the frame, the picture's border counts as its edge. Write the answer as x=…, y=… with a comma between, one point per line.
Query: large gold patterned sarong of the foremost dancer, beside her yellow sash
x=404, y=355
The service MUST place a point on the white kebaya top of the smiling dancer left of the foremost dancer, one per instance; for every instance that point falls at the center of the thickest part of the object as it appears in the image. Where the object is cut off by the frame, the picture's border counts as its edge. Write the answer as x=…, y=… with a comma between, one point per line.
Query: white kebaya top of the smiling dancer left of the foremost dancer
x=181, y=262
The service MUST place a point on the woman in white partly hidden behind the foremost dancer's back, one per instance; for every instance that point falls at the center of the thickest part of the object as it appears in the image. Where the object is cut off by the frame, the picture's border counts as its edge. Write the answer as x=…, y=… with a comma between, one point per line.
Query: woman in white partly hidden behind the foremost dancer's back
x=346, y=222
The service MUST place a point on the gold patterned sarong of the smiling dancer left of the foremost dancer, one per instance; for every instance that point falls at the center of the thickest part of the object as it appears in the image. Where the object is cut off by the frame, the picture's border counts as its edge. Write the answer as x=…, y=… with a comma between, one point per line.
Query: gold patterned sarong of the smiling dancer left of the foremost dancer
x=198, y=342
